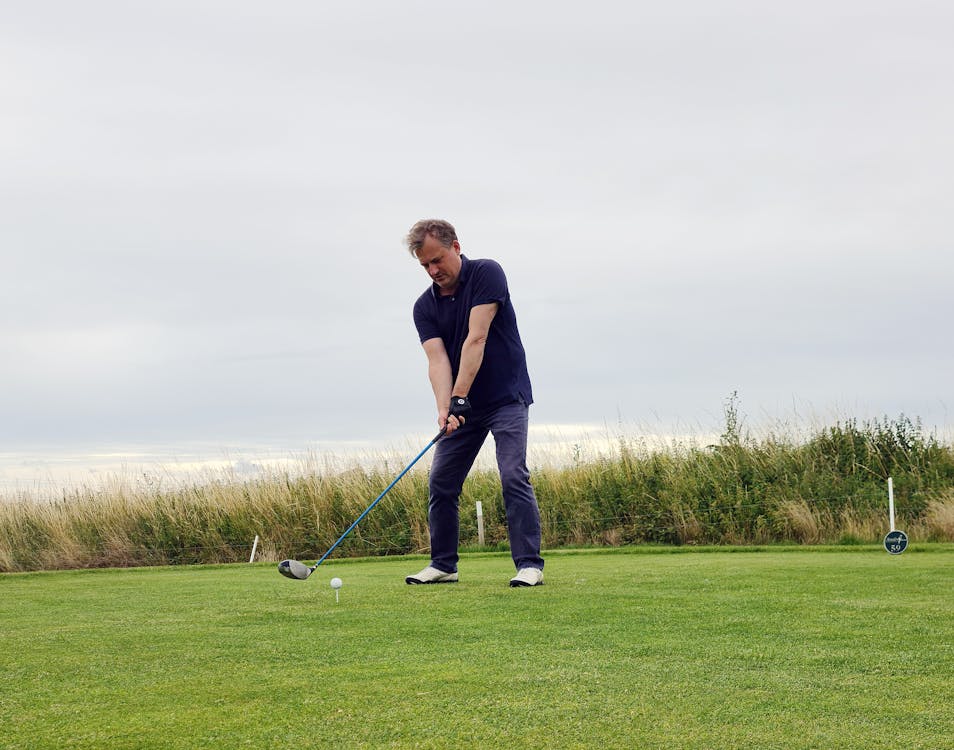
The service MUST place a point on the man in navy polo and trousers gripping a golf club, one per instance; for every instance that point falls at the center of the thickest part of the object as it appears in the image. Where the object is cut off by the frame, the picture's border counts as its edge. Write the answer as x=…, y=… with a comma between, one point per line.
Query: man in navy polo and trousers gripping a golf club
x=478, y=372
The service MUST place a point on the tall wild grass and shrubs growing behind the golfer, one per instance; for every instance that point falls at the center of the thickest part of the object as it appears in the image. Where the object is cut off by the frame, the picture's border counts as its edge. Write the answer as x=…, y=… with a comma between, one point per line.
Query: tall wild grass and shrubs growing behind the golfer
x=827, y=487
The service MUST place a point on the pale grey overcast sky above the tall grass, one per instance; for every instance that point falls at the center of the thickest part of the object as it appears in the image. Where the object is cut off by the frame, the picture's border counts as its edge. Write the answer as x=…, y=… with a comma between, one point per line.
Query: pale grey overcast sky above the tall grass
x=204, y=203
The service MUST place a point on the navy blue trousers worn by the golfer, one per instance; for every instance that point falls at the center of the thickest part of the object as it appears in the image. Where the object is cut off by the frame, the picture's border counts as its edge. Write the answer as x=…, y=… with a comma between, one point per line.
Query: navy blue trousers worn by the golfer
x=453, y=459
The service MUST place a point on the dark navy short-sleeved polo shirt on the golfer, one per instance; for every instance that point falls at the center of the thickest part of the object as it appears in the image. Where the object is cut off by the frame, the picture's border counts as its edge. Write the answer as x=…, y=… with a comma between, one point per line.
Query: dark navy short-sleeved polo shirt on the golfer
x=502, y=377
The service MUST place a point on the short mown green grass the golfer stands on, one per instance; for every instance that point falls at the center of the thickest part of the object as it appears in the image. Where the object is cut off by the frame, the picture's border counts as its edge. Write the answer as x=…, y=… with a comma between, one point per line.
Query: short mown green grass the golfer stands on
x=780, y=648
